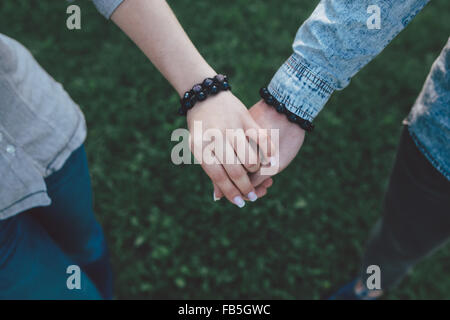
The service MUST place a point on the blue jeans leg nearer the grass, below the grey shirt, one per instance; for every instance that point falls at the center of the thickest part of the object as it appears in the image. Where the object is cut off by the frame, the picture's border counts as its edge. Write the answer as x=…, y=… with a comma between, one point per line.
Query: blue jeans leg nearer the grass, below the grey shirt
x=71, y=222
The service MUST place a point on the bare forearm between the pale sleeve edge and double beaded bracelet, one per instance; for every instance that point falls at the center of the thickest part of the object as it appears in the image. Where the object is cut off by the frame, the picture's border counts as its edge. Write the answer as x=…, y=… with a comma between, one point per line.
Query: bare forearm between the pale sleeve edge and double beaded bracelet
x=154, y=28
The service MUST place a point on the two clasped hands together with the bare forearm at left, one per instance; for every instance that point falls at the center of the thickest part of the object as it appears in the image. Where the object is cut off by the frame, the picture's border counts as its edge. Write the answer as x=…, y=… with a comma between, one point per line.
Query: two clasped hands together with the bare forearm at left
x=156, y=31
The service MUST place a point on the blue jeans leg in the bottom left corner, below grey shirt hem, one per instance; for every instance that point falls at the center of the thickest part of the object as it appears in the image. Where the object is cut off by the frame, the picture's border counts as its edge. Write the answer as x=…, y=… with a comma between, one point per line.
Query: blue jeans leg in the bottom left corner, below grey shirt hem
x=33, y=266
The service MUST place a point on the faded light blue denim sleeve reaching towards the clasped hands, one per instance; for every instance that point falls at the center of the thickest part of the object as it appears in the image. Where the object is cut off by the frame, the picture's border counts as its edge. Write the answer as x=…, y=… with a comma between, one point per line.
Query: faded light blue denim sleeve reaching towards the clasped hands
x=332, y=45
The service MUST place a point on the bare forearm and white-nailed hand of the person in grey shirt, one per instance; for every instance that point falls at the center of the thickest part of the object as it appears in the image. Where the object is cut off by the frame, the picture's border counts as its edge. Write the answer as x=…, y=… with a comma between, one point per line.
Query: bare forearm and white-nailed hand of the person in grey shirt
x=152, y=25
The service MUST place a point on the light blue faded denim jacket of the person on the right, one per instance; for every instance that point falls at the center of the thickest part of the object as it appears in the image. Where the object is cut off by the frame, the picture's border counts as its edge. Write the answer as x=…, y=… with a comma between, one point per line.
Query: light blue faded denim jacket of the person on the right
x=335, y=42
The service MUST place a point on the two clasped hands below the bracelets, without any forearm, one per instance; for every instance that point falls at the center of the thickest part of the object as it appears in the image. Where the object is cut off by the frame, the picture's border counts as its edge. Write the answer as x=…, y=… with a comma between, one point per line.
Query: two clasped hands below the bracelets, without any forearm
x=243, y=179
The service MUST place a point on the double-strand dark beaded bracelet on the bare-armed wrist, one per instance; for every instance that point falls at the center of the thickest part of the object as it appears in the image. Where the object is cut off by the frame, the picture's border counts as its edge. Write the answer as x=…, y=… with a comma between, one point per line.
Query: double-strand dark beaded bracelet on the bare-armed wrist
x=201, y=91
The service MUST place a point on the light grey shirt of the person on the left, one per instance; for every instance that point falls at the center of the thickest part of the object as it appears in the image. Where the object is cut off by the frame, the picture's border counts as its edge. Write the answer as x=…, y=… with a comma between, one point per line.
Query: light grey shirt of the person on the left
x=40, y=125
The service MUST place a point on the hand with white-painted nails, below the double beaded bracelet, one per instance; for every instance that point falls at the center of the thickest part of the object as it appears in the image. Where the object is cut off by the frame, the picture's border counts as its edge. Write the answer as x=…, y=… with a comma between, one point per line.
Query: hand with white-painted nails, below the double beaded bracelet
x=229, y=164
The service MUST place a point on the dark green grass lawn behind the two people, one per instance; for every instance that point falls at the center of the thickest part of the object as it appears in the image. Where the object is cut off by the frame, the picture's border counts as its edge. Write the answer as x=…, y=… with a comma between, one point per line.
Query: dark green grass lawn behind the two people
x=168, y=239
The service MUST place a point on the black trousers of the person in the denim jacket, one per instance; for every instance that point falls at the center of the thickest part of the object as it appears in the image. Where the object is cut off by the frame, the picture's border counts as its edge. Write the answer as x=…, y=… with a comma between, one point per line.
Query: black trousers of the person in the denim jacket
x=416, y=217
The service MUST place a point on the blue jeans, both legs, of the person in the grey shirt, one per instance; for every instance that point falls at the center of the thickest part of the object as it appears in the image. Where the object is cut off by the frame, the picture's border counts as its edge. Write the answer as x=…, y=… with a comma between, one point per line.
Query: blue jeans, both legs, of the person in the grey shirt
x=38, y=245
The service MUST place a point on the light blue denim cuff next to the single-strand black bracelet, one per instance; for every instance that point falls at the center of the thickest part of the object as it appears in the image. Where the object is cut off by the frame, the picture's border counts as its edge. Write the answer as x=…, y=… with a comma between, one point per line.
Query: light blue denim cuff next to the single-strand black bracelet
x=301, y=89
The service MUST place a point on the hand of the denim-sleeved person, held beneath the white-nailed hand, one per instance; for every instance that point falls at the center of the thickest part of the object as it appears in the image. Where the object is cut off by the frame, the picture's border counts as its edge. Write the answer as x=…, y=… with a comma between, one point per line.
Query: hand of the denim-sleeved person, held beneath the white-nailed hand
x=291, y=138
